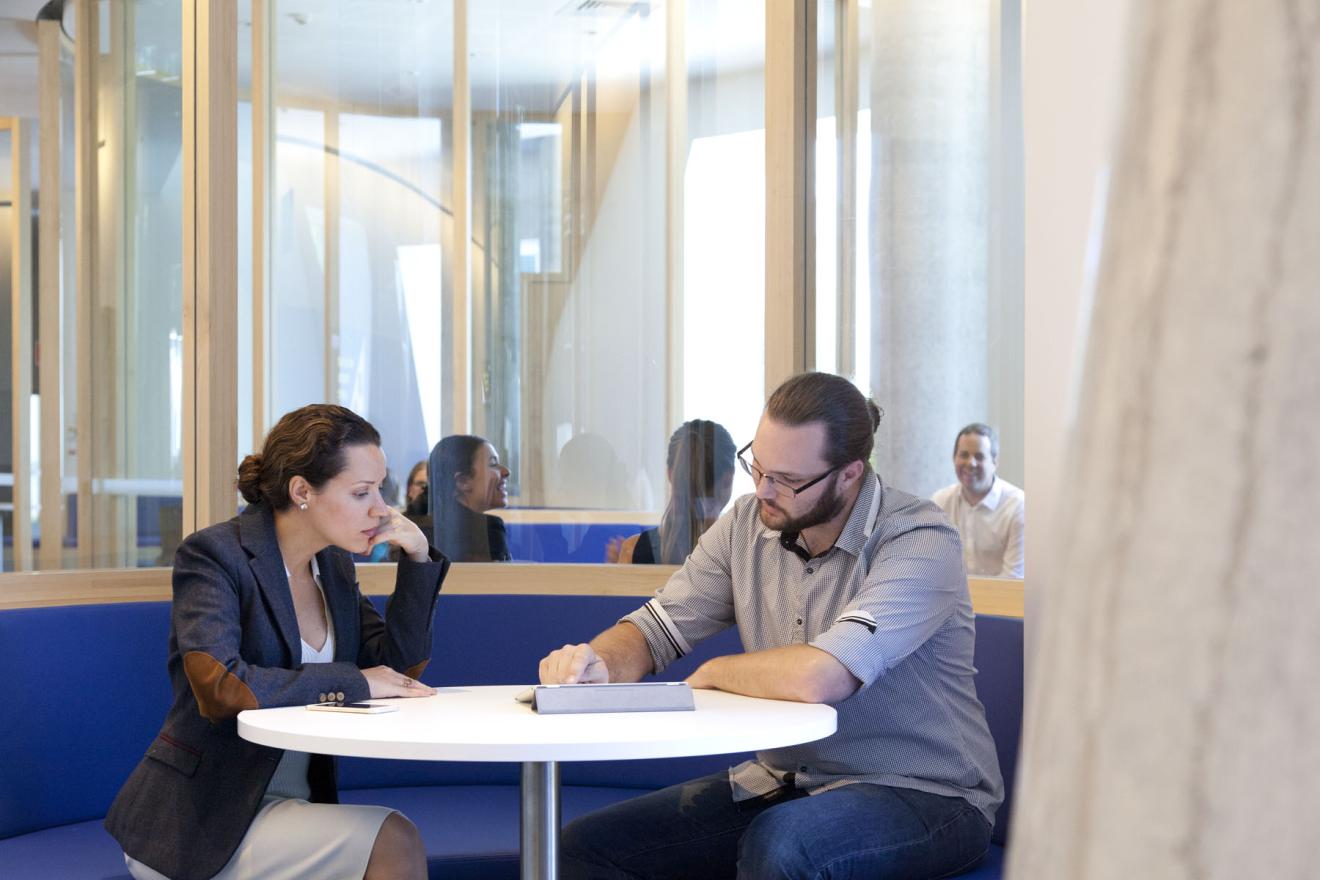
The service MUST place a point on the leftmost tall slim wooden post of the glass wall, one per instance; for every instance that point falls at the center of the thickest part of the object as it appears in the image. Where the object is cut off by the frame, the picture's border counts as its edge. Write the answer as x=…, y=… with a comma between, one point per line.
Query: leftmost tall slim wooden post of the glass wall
x=49, y=304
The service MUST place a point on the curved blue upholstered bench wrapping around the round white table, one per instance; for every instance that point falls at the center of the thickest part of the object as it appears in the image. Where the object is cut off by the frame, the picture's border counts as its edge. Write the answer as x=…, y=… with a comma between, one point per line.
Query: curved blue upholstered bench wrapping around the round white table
x=89, y=691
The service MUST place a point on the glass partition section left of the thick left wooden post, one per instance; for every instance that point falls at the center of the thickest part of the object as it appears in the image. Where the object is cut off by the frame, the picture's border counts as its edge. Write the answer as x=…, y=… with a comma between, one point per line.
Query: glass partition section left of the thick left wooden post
x=98, y=472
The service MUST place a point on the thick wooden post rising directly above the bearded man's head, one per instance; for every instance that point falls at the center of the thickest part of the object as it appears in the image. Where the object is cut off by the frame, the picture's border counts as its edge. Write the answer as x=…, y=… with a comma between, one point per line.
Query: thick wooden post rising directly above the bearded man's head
x=790, y=188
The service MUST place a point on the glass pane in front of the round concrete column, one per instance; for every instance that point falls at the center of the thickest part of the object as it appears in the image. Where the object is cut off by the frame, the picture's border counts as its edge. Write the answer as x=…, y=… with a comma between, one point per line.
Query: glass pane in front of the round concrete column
x=919, y=288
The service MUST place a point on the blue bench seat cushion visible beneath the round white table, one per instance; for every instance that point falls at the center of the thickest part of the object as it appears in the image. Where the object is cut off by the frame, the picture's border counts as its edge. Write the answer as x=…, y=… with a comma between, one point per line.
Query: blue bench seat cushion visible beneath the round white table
x=472, y=832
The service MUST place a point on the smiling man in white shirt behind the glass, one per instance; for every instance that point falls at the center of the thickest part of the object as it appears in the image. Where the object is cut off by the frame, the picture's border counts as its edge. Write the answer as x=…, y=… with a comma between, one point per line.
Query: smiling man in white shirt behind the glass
x=989, y=513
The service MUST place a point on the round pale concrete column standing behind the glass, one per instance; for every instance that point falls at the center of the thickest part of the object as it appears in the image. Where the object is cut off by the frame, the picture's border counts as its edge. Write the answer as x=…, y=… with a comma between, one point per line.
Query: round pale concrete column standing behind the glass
x=930, y=105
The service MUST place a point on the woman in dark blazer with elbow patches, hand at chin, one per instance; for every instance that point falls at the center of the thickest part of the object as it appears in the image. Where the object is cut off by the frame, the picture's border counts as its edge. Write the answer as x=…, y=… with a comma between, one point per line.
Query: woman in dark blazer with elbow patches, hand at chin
x=267, y=613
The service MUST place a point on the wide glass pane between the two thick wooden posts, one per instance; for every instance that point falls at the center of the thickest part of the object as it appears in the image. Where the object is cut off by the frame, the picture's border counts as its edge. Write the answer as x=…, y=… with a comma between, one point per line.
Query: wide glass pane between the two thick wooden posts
x=588, y=229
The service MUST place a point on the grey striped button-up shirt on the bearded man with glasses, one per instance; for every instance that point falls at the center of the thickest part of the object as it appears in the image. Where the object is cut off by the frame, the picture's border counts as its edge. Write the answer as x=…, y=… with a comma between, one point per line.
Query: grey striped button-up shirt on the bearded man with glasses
x=890, y=602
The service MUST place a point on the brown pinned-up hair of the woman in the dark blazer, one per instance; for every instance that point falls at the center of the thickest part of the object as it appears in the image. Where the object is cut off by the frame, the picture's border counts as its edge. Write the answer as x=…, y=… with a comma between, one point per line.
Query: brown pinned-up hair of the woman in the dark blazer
x=310, y=443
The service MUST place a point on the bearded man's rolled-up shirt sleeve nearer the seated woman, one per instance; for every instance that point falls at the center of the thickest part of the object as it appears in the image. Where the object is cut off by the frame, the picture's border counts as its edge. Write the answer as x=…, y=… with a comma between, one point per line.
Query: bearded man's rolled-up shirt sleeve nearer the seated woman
x=696, y=602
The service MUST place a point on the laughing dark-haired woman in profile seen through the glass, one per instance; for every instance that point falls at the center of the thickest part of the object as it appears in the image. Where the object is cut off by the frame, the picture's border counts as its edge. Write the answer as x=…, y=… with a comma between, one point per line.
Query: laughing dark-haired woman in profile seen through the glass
x=467, y=480
